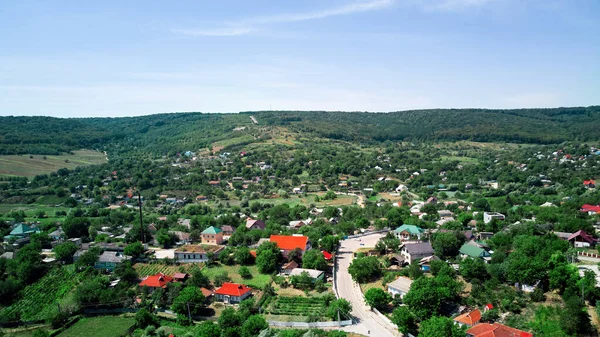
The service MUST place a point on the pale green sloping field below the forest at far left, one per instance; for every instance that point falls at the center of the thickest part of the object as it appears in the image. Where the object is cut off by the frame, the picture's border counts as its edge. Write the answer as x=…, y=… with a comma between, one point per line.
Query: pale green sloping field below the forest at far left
x=24, y=166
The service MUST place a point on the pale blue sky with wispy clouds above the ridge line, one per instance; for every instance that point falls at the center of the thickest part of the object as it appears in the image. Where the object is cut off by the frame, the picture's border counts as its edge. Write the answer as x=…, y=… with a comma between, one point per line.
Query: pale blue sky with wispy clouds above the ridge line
x=125, y=58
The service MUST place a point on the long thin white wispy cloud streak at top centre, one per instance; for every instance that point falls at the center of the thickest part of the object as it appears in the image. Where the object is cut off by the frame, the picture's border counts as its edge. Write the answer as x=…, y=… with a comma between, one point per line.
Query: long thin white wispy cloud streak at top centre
x=249, y=25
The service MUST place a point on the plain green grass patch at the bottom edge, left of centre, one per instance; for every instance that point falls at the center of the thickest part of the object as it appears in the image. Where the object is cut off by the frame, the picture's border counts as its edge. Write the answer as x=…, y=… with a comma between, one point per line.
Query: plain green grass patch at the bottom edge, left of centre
x=105, y=326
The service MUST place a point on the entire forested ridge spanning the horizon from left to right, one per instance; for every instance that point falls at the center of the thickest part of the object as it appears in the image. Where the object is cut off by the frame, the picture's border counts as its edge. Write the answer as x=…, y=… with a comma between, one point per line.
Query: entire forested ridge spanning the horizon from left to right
x=178, y=131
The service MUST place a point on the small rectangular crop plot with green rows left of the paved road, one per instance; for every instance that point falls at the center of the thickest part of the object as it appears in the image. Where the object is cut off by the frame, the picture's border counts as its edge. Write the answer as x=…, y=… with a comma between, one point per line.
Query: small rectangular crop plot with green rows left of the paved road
x=298, y=306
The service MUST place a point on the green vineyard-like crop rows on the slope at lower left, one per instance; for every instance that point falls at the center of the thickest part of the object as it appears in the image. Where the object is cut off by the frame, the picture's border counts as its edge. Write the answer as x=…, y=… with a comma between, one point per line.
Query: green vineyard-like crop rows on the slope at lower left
x=40, y=295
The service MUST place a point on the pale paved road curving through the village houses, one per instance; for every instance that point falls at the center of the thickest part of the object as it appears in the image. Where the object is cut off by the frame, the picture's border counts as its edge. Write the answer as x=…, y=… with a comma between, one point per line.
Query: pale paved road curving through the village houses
x=348, y=289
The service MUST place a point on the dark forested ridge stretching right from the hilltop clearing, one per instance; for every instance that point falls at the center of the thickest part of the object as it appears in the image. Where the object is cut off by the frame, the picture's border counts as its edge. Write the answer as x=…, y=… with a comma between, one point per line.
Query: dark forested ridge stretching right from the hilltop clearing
x=522, y=125
